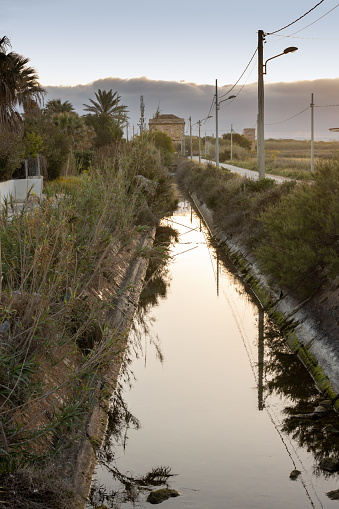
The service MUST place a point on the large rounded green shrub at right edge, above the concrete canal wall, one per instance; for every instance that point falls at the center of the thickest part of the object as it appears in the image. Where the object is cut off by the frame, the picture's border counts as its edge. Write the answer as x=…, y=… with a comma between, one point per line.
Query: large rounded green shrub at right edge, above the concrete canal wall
x=300, y=247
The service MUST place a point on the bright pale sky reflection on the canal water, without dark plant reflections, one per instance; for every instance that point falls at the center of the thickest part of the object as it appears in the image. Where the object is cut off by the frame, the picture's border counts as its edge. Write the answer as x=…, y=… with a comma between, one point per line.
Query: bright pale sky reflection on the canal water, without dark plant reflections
x=199, y=409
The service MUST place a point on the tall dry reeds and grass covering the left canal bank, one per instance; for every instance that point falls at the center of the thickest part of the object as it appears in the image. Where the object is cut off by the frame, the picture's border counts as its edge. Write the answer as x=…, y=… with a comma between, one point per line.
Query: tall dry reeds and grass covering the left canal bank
x=60, y=273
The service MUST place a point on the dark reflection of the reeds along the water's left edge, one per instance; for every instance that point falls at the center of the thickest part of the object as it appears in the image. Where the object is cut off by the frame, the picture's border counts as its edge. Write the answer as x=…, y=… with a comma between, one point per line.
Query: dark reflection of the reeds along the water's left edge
x=120, y=419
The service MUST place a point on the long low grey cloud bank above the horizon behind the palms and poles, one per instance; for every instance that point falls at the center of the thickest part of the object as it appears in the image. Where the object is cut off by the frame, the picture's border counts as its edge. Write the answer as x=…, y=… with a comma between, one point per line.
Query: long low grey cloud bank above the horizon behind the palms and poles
x=283, y=103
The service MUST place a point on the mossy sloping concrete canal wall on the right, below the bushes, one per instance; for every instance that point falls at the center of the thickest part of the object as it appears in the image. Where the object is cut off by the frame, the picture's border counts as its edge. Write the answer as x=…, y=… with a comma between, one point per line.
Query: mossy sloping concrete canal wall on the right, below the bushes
x=304, y=334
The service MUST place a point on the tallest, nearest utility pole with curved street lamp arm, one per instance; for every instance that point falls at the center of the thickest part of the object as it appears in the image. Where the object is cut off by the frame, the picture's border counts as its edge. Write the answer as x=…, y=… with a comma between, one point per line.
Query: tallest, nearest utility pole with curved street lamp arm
x=261, y=71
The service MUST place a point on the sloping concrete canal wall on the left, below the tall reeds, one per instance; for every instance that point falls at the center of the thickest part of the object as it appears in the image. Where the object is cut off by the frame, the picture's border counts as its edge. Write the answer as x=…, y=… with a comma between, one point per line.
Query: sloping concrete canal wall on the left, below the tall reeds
x=78, y=468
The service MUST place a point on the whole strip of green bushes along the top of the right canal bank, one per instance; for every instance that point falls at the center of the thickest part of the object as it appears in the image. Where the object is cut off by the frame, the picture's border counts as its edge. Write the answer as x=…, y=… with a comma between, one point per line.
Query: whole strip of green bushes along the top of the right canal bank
x=291, y=228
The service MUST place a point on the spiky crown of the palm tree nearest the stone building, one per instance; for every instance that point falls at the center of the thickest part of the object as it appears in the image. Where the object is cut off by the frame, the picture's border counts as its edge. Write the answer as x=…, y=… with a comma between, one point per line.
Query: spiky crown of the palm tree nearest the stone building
x=107, y=104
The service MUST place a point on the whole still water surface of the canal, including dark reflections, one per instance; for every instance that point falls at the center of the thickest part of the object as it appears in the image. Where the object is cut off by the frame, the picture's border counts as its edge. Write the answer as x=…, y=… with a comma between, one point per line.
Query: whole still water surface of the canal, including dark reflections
x=210, y=393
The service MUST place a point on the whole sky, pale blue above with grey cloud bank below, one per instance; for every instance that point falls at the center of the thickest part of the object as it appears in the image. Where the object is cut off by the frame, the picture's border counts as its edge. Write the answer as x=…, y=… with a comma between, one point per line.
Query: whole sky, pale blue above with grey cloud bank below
x=172, y=53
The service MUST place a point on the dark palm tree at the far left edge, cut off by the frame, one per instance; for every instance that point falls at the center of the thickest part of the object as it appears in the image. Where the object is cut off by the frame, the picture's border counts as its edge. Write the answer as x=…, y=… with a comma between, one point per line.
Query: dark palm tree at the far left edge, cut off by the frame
x=19, y=86
